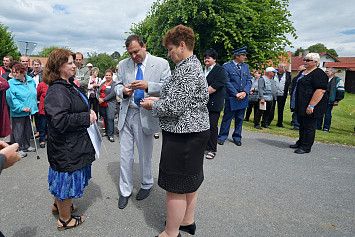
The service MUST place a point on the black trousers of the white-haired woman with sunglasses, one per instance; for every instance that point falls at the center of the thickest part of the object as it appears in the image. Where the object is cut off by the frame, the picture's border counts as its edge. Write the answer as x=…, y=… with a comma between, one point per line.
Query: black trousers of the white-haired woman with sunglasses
x=307, y=132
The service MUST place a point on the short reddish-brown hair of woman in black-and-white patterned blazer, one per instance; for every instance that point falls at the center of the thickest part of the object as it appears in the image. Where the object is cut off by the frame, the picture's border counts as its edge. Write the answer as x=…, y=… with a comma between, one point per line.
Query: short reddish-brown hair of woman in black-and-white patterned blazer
x=180, y=33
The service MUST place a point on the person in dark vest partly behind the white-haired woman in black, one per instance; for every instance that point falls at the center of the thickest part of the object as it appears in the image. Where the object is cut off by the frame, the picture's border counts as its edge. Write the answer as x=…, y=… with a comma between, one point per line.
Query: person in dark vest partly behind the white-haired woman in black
x=336, y=93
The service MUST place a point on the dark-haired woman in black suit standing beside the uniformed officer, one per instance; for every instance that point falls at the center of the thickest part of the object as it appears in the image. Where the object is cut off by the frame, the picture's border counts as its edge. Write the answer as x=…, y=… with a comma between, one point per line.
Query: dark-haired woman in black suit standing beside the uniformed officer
x=216, y=80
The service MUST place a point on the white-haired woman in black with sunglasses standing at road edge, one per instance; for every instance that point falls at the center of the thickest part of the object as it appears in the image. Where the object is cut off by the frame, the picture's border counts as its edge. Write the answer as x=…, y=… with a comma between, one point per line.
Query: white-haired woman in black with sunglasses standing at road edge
x=309, y=100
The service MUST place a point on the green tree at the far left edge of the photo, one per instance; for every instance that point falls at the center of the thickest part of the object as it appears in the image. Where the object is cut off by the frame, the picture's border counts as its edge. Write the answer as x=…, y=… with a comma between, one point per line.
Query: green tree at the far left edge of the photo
x=7, y=43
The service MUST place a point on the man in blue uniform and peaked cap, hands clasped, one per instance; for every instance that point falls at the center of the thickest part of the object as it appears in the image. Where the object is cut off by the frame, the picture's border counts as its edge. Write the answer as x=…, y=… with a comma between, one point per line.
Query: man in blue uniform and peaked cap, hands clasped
x=238, y=85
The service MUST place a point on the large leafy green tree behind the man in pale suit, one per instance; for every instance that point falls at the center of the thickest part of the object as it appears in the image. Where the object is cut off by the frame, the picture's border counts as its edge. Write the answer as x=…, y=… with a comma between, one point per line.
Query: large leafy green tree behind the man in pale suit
x=224, y=25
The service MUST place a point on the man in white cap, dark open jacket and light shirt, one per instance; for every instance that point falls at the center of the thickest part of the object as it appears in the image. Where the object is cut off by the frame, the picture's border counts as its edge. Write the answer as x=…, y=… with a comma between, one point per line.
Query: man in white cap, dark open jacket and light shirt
x=283, y=81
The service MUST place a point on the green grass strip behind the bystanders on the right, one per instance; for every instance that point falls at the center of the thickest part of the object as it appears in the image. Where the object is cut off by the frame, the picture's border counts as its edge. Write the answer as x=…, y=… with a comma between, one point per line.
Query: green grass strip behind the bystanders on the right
x=343, y=123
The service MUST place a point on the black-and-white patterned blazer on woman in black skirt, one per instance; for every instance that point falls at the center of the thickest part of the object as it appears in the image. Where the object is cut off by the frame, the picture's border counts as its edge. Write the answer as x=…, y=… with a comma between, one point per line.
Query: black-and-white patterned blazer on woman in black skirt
x=182, y=107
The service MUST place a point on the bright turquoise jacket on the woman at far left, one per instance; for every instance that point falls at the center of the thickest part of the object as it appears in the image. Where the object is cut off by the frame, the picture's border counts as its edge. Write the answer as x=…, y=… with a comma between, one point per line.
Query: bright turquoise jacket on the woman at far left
x=20, y=95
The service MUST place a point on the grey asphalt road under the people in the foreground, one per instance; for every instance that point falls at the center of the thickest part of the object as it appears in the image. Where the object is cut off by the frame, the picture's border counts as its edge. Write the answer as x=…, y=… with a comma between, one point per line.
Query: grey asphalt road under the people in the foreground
x=259, y=189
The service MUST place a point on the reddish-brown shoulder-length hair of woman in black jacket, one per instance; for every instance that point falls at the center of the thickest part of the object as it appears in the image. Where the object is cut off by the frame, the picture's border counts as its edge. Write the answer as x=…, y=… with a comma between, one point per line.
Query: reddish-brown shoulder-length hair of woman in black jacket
x=55, y=60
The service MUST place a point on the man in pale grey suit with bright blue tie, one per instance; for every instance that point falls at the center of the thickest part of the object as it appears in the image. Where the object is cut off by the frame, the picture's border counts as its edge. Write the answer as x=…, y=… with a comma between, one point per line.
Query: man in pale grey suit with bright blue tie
x=141, y=75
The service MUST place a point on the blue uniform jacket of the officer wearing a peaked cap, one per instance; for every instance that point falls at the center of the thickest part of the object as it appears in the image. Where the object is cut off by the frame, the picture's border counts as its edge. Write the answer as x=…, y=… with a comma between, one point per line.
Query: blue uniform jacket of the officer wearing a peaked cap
x=237, y=80
